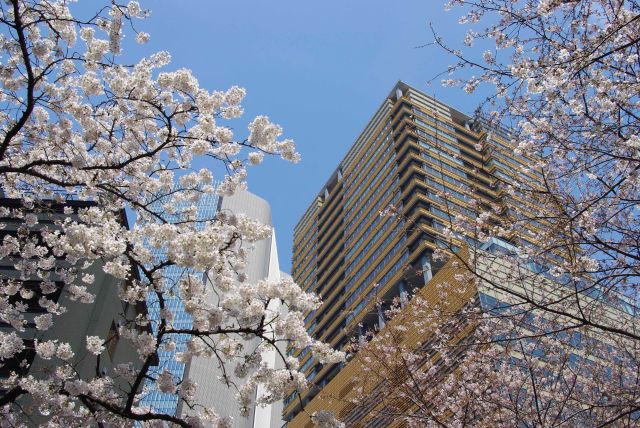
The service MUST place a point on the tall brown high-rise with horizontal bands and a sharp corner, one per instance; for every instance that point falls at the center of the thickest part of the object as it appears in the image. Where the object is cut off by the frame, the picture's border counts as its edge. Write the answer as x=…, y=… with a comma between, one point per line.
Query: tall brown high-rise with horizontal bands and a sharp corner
x=419, y=159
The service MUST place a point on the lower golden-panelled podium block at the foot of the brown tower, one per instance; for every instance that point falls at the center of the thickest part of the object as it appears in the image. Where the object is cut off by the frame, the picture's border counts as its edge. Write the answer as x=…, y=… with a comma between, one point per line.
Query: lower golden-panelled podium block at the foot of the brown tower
x=377, y=389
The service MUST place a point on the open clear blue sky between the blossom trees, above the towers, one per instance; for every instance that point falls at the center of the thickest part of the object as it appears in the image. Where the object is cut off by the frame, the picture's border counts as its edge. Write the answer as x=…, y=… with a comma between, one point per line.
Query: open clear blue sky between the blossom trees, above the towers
x=319, y=69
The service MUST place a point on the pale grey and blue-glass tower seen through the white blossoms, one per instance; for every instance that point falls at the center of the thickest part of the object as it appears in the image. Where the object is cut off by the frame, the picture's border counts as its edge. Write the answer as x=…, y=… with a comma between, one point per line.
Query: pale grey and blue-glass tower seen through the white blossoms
x=212, y=392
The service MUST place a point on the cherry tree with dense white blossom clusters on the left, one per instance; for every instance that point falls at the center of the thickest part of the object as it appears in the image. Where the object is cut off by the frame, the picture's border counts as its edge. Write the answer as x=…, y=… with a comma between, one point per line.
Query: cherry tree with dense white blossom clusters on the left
x=78, y=125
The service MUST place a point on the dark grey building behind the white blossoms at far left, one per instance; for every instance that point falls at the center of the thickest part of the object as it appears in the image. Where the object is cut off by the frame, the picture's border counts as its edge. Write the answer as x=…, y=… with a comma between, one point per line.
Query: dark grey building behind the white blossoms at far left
x=101, y=318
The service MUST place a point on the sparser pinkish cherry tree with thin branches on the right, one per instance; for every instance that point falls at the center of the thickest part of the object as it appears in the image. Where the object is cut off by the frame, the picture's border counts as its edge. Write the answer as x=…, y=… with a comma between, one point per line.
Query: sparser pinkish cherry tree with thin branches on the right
x=562, y=78
